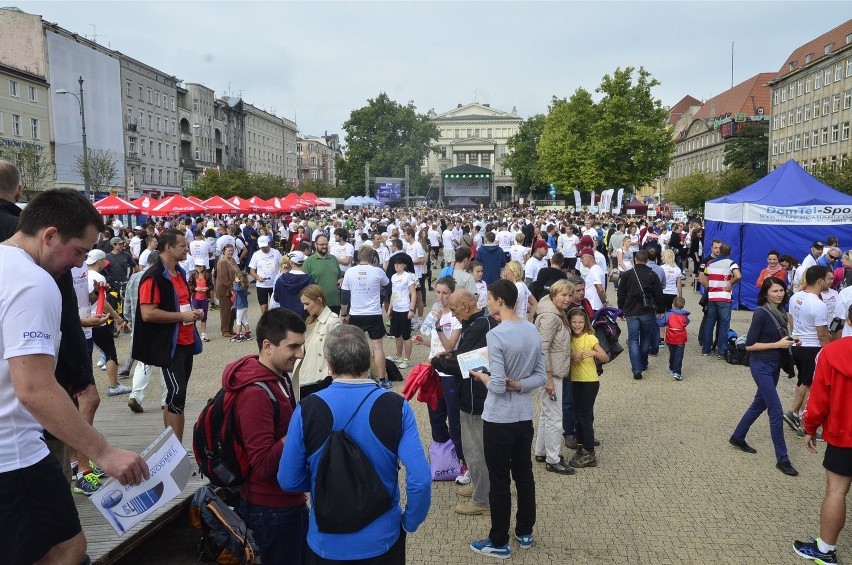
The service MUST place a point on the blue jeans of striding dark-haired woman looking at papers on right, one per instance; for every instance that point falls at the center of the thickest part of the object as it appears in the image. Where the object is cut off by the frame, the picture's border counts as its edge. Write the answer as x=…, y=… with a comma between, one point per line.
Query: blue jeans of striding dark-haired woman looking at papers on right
x=765, y=375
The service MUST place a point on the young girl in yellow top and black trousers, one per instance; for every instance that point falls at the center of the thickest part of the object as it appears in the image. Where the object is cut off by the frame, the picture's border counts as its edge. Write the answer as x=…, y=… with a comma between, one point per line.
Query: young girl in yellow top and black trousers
x=585, y=350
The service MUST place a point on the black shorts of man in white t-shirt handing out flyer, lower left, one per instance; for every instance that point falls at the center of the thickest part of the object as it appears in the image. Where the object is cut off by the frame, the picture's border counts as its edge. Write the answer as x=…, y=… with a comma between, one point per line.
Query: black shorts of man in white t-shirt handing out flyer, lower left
x=37, y=511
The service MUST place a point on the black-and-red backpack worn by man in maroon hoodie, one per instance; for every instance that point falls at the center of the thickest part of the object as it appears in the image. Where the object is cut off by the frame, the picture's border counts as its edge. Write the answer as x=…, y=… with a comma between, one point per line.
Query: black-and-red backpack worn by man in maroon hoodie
x=216, y=442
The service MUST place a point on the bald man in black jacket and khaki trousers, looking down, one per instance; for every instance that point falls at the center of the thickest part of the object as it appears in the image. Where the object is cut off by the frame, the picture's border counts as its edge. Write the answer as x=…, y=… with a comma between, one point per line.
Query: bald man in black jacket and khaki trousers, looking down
x=475, y=325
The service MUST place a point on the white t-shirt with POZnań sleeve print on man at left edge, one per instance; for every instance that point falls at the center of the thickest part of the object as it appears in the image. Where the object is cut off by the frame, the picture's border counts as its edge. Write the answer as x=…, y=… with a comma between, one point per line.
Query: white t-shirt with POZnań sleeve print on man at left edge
x=30, y=307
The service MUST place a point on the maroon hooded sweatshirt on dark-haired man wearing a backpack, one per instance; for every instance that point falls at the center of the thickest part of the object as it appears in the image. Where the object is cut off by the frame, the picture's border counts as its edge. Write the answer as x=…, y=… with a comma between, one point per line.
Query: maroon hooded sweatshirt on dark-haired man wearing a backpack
x=261, y=435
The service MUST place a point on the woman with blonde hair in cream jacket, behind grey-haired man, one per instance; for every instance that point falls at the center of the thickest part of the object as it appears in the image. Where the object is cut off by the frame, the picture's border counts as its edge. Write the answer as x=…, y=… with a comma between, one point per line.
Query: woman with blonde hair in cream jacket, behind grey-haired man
x=311, y=373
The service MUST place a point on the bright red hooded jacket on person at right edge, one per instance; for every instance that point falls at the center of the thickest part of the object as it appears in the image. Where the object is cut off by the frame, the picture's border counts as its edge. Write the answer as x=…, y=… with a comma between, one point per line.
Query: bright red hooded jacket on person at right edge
x=831, y=392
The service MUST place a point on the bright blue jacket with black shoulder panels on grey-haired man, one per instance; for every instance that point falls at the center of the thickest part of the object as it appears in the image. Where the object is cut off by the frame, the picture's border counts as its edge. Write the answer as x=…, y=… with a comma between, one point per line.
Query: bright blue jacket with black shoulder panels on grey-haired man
x=298, y=468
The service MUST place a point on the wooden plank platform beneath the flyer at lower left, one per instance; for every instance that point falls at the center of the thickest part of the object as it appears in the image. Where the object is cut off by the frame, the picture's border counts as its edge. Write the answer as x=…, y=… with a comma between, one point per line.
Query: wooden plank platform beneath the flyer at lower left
x=125, y=429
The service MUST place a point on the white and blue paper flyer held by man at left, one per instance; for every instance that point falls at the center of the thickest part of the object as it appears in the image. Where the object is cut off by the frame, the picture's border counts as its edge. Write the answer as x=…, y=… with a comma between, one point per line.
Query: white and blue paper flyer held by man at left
x=126, y=506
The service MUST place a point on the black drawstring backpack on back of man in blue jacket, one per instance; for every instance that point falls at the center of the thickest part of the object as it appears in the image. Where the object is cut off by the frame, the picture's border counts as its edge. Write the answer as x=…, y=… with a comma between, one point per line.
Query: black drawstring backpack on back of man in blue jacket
x=348, y=492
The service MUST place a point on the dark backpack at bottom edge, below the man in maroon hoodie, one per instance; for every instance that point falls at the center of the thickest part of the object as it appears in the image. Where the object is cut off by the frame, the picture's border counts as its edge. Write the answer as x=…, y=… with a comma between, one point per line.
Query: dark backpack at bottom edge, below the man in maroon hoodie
x=224, y=536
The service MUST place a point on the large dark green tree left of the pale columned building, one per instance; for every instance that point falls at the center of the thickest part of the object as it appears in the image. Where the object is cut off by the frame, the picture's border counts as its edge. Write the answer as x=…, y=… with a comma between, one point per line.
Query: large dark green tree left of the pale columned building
x=387, y=135
